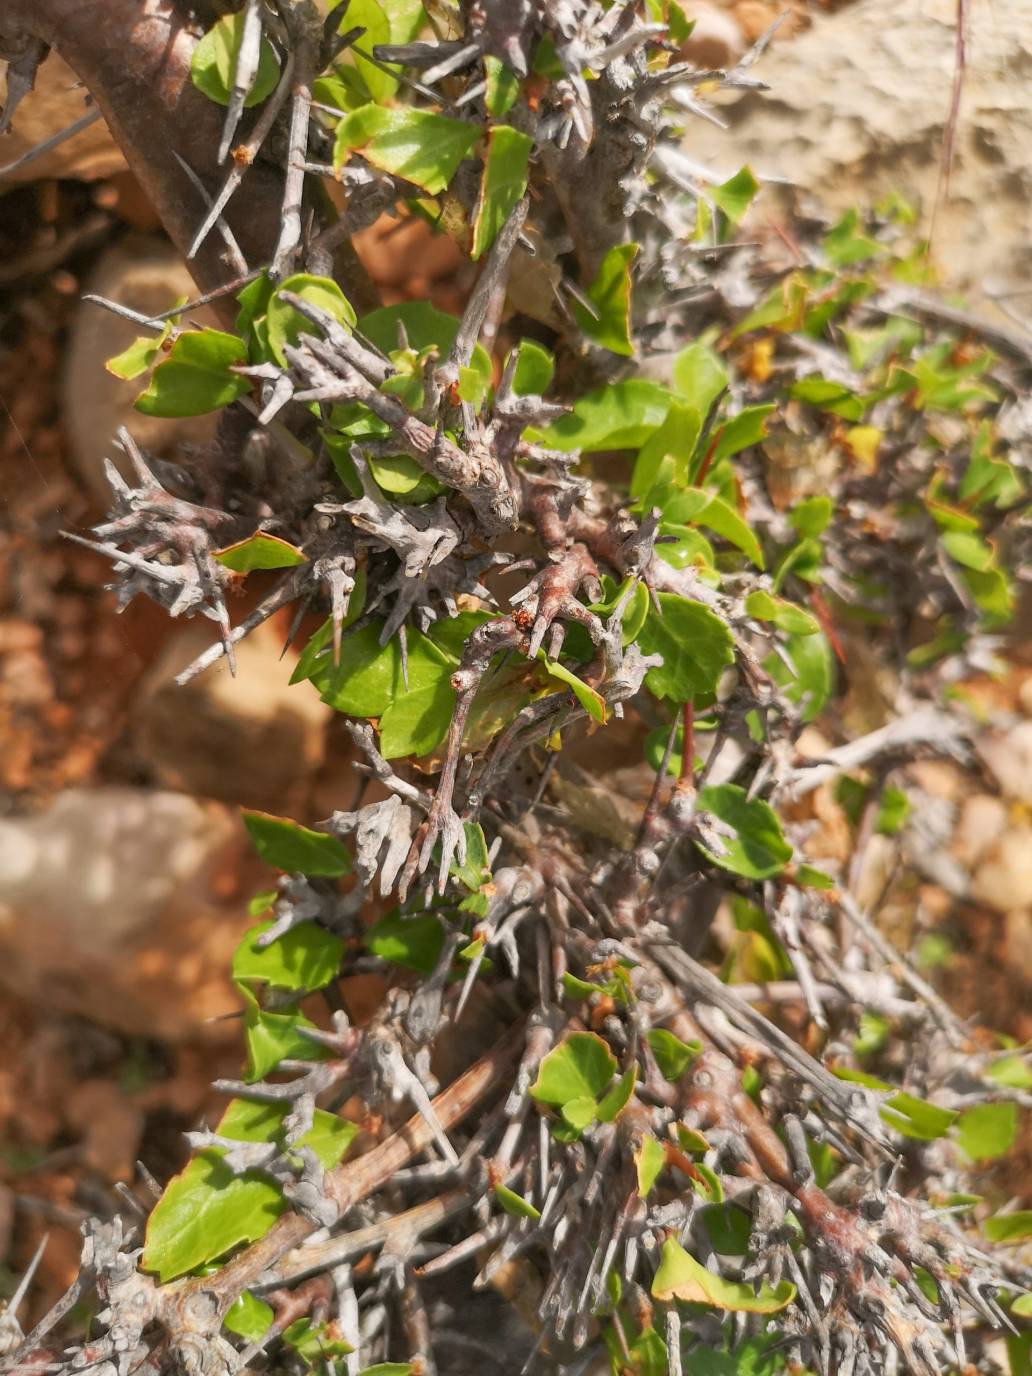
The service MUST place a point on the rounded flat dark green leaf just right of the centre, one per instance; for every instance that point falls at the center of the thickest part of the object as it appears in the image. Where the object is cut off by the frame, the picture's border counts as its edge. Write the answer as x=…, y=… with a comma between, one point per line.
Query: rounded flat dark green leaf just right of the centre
x=697, y=646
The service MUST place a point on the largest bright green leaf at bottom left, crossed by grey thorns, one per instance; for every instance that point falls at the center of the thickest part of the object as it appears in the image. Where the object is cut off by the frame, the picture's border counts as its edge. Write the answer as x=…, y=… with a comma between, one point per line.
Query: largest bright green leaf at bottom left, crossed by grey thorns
x=206, y=1212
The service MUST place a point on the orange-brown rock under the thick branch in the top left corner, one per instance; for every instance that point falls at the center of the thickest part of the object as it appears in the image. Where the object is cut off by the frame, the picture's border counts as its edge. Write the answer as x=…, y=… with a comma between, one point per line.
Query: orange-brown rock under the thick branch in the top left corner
x=53, y=107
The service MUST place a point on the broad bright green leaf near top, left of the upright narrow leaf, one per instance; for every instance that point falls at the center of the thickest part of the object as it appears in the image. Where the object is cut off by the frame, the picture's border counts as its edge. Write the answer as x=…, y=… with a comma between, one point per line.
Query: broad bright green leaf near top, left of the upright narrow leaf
x=419, y=147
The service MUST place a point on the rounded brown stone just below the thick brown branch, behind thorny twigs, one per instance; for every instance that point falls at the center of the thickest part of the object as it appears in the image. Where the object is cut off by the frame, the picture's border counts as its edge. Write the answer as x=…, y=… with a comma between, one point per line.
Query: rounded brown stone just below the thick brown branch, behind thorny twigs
x=147, y=275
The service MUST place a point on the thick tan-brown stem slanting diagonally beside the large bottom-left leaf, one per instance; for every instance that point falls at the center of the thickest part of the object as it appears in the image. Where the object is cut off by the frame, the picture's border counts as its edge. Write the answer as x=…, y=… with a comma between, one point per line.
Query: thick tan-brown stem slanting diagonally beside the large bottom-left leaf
x=356, y=1180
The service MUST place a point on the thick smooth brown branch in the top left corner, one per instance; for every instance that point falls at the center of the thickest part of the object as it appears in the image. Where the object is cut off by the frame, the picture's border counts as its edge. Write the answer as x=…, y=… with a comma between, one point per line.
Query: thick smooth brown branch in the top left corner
x=134, y=58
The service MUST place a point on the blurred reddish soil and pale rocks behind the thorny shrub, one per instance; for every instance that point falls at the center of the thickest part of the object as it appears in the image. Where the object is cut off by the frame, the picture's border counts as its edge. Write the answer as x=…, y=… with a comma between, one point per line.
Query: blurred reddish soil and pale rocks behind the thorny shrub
x=125, y=874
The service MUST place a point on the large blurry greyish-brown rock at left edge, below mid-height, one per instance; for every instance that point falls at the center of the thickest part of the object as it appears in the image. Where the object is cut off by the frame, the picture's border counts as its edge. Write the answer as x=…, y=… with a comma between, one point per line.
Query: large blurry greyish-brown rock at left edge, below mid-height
x=108, y=910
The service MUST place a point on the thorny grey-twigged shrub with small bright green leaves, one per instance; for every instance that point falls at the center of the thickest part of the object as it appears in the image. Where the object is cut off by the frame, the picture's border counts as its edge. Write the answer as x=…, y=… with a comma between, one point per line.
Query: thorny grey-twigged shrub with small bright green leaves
x=645, y=486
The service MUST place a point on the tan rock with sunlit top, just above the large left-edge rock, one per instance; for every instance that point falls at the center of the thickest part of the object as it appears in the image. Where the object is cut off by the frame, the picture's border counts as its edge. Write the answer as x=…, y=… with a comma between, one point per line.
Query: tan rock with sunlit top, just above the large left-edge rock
x=252, y=740
